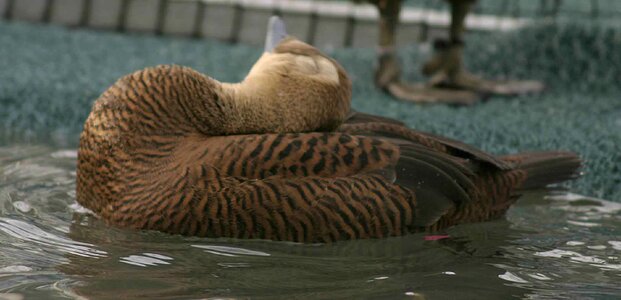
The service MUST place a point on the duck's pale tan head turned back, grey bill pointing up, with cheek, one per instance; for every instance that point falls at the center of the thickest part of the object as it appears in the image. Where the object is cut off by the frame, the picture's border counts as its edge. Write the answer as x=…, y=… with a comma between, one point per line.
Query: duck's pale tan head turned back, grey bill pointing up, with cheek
x=293, y=87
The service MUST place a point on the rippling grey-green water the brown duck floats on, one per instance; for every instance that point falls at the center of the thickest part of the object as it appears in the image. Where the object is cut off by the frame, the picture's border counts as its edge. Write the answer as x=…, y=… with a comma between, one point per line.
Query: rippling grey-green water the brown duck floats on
x=568, y=246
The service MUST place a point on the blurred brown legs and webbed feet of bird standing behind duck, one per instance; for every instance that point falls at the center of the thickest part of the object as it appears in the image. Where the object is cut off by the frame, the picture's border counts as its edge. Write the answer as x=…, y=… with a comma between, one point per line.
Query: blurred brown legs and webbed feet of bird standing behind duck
x=449, y=81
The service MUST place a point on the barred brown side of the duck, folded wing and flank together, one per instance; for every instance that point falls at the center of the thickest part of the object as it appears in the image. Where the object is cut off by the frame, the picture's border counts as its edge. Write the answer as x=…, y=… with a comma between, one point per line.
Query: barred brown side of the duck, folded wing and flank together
x=383, y=190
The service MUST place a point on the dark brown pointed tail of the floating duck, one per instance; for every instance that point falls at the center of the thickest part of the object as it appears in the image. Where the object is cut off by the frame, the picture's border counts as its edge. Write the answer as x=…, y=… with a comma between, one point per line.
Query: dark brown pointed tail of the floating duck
x=545, y=168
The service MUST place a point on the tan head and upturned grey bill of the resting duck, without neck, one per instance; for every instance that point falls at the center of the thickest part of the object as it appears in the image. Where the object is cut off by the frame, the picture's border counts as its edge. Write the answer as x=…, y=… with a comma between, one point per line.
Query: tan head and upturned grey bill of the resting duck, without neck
x=313, y=87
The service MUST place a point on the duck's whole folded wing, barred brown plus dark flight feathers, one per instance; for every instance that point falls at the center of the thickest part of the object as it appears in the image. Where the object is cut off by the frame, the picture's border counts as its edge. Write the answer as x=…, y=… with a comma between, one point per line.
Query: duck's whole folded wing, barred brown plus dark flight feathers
x=440, y=181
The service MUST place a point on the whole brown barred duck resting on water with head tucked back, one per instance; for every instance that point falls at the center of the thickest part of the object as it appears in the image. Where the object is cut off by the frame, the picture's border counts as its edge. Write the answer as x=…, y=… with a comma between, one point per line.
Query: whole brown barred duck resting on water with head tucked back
x=281, y=156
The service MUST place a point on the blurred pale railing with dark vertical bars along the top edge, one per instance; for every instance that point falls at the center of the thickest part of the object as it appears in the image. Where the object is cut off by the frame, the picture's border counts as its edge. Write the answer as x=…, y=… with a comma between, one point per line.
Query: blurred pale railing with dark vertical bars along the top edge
x=326, y=23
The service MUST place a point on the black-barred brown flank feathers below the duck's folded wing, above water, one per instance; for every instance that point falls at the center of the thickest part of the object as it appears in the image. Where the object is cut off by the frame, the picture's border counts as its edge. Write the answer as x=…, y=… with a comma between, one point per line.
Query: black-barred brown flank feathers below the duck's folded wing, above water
x=306, y=209
